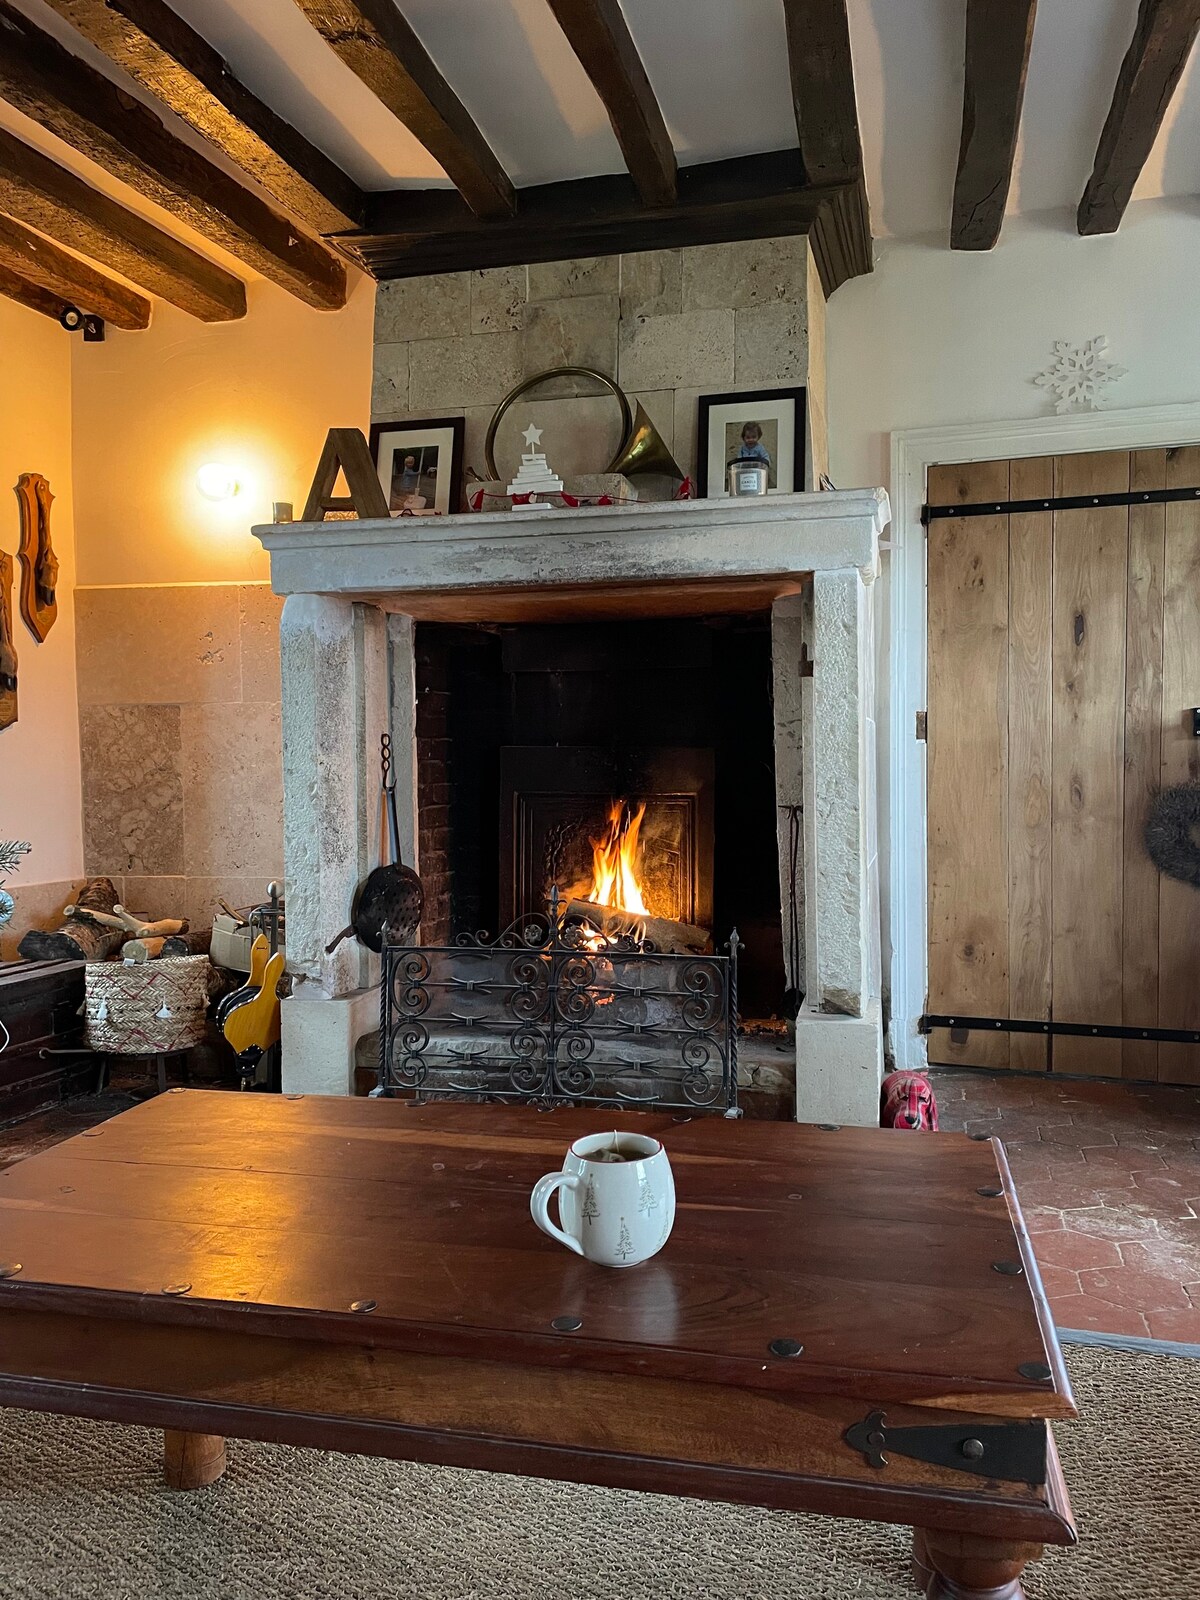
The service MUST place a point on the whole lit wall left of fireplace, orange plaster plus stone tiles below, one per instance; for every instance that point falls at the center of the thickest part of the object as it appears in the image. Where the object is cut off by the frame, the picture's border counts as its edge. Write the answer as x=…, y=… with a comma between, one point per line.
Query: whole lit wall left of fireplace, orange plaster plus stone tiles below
x=178, y=630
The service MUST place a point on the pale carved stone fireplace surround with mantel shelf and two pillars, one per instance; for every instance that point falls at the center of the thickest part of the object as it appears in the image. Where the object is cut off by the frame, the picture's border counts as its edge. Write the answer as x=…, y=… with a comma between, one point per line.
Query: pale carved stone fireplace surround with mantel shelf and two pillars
x=354, y=591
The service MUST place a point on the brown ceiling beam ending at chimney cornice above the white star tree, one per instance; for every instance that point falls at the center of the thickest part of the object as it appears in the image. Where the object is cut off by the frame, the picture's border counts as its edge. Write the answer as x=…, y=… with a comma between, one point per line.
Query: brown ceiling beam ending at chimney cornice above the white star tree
x=378, y=46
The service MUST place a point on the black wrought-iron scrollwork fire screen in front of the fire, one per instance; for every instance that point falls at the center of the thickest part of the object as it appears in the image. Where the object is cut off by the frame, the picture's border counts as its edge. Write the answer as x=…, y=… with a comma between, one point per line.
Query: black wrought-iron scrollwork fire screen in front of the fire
x=542, y=1015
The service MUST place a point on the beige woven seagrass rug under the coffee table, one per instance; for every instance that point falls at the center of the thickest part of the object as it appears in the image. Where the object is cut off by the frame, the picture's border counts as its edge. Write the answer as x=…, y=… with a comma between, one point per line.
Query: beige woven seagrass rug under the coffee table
x=84, y=1516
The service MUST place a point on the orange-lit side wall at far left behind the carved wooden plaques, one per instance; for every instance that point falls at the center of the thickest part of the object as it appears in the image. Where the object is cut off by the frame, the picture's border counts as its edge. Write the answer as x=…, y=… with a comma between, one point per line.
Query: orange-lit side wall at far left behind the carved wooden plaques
x=39, y=754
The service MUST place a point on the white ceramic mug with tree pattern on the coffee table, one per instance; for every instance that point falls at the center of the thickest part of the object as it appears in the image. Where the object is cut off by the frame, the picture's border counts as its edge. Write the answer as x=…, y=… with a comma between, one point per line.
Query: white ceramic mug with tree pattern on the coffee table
x=617, y=1199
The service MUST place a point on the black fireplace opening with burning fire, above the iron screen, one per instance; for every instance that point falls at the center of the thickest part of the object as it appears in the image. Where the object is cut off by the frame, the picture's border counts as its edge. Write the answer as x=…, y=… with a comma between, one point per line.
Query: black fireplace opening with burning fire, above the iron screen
x=630, y=766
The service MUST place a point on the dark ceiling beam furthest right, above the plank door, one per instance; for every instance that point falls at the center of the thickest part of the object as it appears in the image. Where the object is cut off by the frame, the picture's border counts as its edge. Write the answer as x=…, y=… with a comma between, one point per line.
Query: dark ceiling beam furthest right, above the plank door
x=1162, y=42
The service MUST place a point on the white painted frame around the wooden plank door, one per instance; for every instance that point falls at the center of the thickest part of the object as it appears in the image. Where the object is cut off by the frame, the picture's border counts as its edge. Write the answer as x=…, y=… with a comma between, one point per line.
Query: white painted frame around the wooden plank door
x=905, y=684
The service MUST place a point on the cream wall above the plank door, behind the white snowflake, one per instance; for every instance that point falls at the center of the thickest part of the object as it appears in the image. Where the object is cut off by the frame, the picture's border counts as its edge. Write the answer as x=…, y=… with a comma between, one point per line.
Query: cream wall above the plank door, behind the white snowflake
x=953, y=337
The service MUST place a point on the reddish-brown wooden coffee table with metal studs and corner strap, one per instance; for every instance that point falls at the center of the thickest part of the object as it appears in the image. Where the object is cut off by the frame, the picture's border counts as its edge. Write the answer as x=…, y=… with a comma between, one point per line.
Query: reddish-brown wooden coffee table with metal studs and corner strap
x=844, y=1321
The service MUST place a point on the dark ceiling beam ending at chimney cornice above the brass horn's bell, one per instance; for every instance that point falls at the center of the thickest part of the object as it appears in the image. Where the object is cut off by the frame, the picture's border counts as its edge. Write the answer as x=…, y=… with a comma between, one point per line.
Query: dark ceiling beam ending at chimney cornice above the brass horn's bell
x=599, y=36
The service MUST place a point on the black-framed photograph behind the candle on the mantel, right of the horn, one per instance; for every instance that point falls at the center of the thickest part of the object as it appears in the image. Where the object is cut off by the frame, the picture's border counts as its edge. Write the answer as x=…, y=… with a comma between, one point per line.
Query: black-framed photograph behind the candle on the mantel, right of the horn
x=767, y=426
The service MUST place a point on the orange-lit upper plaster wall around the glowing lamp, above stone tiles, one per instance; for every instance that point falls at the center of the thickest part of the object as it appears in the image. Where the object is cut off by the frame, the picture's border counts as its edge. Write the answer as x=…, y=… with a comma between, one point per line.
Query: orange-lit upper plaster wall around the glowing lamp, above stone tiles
x=151, y=409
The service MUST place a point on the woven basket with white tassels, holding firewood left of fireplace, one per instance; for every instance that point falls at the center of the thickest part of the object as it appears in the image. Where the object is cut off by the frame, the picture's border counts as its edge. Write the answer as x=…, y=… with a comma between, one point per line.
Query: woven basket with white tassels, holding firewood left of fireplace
x=153, y=1009
